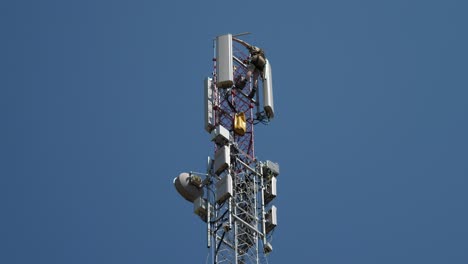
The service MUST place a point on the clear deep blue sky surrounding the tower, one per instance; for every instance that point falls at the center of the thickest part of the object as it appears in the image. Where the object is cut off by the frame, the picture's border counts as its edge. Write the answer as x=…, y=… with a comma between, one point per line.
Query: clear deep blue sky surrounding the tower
x=101, y=107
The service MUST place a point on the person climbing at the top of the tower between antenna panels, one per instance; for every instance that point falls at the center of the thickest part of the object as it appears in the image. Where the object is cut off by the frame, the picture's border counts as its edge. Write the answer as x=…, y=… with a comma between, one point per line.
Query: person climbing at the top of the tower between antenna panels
x=256, y=65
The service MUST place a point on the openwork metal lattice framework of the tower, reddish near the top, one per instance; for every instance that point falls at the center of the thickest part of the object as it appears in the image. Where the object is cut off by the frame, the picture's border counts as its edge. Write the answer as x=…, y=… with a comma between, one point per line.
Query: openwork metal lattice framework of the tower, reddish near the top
x=237, y=226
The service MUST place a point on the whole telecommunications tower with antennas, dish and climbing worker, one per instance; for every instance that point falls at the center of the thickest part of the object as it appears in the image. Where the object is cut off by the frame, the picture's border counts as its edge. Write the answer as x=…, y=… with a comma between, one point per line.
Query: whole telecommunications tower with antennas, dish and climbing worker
x=234, y=197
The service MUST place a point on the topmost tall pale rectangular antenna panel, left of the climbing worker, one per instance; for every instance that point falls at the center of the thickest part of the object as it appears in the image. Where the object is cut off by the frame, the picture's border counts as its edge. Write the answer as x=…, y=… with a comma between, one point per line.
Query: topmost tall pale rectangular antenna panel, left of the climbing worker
x=224, y=64
